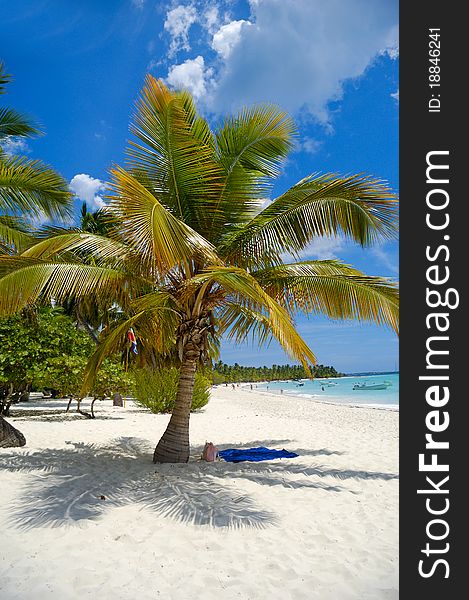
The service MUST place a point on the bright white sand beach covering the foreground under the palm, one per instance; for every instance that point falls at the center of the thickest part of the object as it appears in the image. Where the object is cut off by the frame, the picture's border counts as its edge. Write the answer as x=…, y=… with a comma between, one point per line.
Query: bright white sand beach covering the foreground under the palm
x=321, y=526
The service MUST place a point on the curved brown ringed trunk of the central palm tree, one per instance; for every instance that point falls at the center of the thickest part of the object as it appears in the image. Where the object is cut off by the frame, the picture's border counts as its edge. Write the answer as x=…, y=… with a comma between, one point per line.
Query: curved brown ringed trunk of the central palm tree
x=173, y=447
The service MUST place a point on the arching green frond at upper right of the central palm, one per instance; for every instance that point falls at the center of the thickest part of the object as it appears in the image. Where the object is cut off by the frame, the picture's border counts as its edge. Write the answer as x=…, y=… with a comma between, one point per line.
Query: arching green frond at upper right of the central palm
x=358, y=207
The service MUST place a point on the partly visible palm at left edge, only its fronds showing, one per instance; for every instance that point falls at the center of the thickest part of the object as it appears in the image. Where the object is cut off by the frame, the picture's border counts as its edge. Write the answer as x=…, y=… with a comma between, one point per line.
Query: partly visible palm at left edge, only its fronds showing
x=26, y=186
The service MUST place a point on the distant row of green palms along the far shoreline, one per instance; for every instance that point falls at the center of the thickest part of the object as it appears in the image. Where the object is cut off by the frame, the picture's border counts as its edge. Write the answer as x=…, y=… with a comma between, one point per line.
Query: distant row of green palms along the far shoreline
x=223, y=373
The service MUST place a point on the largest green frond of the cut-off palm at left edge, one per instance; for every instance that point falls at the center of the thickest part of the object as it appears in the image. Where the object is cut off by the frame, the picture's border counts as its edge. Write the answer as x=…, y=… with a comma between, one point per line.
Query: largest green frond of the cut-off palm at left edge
x=31, y=187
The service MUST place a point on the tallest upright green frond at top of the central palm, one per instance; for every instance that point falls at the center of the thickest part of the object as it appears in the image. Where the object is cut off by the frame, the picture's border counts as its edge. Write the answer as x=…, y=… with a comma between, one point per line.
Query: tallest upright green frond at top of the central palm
x=176, y=156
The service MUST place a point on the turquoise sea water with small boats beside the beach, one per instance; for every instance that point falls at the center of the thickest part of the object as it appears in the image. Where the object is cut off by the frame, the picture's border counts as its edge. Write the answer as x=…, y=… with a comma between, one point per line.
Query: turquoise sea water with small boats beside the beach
x=339, y=390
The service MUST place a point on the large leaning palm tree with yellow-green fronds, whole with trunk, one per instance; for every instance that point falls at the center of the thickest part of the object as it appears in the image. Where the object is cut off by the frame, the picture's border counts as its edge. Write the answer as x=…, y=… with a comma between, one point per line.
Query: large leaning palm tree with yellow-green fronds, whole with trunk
x=198, y=250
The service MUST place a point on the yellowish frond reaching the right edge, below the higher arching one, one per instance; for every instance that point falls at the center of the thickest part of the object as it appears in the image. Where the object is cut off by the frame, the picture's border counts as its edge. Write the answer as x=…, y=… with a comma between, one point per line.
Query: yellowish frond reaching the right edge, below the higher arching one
x=332, y=288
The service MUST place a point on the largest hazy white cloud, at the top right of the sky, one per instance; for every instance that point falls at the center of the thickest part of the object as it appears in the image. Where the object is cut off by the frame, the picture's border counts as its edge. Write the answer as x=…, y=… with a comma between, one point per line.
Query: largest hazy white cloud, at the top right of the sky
x=298, y=53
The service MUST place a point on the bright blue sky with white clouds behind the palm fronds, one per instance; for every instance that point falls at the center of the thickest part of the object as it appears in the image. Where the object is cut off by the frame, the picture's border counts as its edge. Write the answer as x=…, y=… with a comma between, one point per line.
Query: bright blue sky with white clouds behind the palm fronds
x=78, y=68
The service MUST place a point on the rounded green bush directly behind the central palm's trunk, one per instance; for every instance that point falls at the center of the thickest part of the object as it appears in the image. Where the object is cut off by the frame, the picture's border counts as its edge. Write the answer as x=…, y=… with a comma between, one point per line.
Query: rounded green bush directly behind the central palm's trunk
x=157, y=389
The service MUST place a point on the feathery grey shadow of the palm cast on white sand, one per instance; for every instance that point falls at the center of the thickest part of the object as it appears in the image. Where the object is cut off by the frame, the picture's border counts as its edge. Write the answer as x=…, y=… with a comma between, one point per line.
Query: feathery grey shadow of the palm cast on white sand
x=81, y=481
